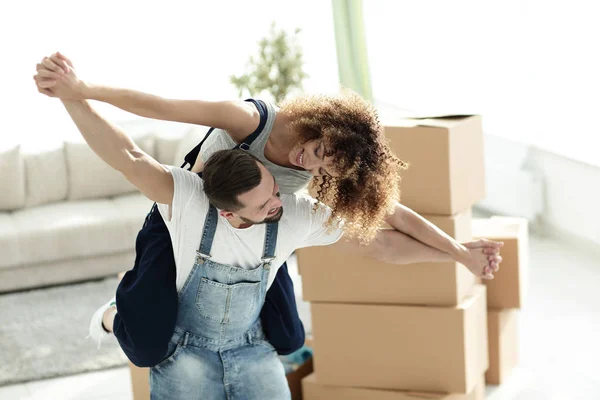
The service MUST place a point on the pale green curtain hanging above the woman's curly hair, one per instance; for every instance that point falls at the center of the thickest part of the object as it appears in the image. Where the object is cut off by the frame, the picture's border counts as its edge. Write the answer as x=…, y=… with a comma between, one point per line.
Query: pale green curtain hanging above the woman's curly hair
x=353, y=63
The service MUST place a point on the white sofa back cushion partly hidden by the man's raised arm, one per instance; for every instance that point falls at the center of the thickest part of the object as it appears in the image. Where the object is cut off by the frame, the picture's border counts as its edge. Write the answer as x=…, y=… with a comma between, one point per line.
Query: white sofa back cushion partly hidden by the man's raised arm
x=92, y=178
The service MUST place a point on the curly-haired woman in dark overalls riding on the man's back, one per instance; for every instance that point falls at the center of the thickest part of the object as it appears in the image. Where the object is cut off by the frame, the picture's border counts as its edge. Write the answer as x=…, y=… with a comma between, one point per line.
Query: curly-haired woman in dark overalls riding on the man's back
x=334, y=142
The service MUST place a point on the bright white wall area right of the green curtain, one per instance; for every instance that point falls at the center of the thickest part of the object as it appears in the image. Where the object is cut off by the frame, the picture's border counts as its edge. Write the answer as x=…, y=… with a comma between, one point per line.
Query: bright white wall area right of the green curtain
x=530, y=67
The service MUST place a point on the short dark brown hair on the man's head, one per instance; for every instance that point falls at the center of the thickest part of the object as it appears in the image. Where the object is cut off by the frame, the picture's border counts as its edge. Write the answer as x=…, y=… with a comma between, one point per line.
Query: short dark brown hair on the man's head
x=228, y=174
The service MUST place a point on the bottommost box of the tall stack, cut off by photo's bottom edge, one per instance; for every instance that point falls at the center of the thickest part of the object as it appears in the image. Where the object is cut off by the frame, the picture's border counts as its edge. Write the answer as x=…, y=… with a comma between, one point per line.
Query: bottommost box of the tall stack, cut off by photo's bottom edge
x=314, y=390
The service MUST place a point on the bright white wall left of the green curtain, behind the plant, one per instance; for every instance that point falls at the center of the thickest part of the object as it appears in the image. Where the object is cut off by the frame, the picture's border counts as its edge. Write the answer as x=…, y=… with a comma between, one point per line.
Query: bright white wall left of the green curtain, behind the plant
x=186, y=49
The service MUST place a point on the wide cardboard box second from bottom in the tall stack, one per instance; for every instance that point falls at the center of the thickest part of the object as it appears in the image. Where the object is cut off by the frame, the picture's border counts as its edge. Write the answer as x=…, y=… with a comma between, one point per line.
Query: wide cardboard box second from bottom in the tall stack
x=429, y=349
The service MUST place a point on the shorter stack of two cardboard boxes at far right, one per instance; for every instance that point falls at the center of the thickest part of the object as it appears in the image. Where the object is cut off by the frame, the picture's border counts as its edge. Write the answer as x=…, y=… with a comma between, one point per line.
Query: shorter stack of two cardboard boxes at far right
x=505, y=293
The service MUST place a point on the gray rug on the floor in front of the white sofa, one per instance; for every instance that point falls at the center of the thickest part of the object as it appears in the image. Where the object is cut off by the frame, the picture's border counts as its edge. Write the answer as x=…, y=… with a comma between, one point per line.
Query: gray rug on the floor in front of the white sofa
x=43, y=332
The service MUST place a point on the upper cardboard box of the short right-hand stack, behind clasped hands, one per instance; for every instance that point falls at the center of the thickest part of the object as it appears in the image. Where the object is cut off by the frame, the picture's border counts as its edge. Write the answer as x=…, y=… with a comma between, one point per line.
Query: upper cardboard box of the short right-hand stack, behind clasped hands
x=507, y=289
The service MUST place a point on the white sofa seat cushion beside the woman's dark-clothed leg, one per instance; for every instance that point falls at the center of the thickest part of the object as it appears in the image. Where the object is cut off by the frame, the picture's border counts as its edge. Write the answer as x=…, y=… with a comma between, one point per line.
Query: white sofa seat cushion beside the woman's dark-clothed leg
x=68, y=230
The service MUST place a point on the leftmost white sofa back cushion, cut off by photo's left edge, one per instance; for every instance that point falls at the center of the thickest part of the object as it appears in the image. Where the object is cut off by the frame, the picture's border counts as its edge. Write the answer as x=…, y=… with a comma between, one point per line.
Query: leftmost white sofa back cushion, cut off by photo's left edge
x=12, y=178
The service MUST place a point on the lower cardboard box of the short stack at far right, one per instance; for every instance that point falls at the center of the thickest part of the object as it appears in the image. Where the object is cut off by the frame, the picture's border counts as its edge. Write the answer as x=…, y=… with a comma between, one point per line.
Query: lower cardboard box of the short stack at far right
x=502, y=343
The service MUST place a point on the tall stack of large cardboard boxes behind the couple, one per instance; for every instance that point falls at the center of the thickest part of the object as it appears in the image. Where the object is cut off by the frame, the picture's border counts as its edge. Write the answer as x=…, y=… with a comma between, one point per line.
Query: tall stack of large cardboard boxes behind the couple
x=384, y=331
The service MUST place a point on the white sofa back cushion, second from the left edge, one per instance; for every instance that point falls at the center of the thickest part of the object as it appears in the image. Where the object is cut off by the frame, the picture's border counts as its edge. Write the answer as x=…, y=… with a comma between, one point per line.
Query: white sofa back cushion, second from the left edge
x=45, y=175
